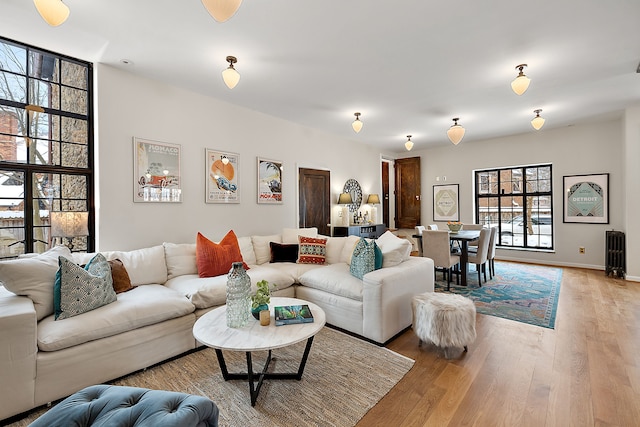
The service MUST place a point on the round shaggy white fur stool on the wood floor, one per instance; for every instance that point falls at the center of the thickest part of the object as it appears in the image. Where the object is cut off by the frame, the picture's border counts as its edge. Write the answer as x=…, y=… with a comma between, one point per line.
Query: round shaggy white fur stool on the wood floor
x=447, y=320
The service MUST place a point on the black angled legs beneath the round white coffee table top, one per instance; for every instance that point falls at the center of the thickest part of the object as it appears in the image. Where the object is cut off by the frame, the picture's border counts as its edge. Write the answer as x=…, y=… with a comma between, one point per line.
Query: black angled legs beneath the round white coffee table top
x=251, y=376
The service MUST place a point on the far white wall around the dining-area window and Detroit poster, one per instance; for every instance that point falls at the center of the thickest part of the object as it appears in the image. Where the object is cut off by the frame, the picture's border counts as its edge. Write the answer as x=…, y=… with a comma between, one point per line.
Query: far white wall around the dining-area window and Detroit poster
x=580, y=149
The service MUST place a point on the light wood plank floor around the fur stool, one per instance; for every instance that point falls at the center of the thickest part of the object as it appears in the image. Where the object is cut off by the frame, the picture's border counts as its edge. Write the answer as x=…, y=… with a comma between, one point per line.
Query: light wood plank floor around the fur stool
x=585, y=372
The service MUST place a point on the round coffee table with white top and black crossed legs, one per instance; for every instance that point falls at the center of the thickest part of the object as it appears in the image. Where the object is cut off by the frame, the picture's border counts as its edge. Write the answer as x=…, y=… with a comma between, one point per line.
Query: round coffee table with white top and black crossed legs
x=211, y=329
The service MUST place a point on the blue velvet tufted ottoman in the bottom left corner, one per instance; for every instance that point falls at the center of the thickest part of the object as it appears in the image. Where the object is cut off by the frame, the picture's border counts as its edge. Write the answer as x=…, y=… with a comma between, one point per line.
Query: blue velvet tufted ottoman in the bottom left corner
x=117, y=406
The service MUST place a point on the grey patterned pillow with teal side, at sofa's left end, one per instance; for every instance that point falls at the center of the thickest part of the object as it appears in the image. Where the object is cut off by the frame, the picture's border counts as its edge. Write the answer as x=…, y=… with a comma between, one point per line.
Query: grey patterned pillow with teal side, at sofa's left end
x=77, y=290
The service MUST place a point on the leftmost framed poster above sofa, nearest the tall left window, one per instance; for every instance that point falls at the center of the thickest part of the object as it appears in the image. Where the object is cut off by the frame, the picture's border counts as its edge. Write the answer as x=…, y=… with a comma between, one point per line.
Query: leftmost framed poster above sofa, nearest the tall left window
x=156, y=171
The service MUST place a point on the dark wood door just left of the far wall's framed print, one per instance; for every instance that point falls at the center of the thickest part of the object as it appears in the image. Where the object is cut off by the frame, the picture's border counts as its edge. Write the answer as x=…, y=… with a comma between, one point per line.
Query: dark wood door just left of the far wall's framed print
x=408, y=192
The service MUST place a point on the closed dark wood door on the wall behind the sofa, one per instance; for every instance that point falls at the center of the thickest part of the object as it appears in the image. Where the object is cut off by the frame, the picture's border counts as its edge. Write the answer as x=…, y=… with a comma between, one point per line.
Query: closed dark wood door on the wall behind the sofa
x=315, y=199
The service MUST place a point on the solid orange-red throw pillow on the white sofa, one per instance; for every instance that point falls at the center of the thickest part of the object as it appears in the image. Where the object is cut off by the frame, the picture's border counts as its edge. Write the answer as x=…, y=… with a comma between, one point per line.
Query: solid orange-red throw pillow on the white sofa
x=215, y=259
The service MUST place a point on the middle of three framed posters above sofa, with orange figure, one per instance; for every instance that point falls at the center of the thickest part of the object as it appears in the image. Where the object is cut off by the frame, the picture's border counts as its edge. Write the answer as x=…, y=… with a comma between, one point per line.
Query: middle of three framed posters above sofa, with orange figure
x=221, y=177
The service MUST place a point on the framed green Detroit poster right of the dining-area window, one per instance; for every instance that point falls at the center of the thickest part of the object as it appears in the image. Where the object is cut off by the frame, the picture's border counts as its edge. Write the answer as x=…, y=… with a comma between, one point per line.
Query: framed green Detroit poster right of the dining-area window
x=586, y=198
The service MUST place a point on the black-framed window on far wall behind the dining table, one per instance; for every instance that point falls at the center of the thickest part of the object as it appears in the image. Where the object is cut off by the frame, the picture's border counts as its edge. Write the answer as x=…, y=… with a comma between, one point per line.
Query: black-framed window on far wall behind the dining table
x=518, y=201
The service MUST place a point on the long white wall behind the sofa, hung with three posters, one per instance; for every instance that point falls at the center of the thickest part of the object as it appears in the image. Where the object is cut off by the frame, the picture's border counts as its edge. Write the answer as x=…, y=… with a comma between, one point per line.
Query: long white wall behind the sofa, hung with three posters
x=129, y=106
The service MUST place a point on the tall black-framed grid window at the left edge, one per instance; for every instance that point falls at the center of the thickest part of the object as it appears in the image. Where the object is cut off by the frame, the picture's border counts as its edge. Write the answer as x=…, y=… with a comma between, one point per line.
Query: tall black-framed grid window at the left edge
x=46, y=150
